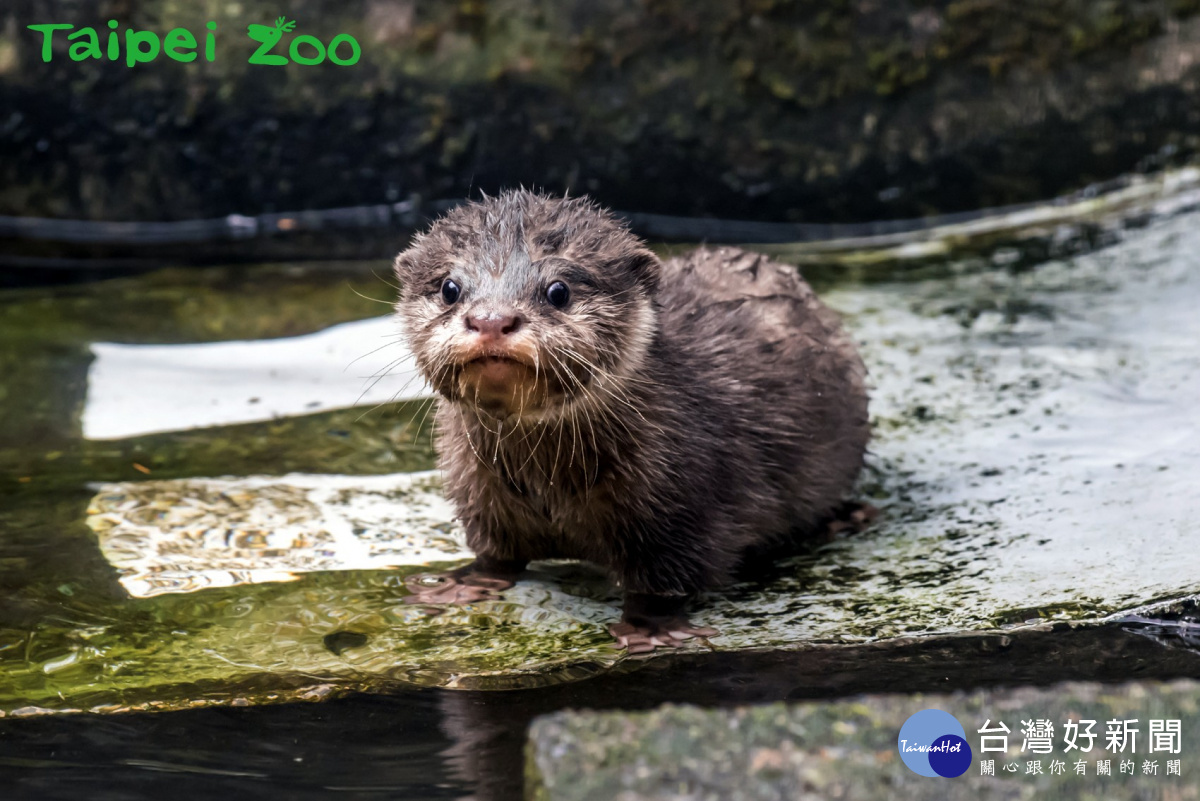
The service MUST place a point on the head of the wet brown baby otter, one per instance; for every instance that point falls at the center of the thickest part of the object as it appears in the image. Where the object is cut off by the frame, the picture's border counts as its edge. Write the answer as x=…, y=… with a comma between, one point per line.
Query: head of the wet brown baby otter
x=523, y=305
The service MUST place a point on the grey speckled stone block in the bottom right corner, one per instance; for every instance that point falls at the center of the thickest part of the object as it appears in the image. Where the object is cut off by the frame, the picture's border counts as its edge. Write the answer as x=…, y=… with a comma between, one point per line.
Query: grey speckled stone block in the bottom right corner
x=848, y=750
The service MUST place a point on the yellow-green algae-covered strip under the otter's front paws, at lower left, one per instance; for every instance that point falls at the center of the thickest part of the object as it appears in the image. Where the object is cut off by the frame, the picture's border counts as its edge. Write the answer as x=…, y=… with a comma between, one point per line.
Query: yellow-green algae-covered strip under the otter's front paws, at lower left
x=249, y=643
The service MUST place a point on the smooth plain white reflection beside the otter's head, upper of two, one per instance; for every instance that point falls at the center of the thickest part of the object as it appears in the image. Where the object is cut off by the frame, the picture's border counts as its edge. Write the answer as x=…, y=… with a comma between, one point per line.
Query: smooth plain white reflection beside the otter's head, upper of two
x=136, y=390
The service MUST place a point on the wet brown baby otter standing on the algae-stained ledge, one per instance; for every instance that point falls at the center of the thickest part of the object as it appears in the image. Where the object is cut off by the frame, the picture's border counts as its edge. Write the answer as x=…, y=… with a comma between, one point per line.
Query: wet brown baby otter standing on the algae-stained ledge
x=661, y=419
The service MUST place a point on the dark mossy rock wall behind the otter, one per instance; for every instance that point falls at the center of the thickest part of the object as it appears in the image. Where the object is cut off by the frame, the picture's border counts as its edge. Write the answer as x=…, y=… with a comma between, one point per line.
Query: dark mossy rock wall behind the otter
x=787, y=111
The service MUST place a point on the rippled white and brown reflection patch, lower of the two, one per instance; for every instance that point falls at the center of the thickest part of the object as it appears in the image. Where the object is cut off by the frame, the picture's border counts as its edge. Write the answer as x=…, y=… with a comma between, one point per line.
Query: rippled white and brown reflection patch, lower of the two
x=181, y=537
